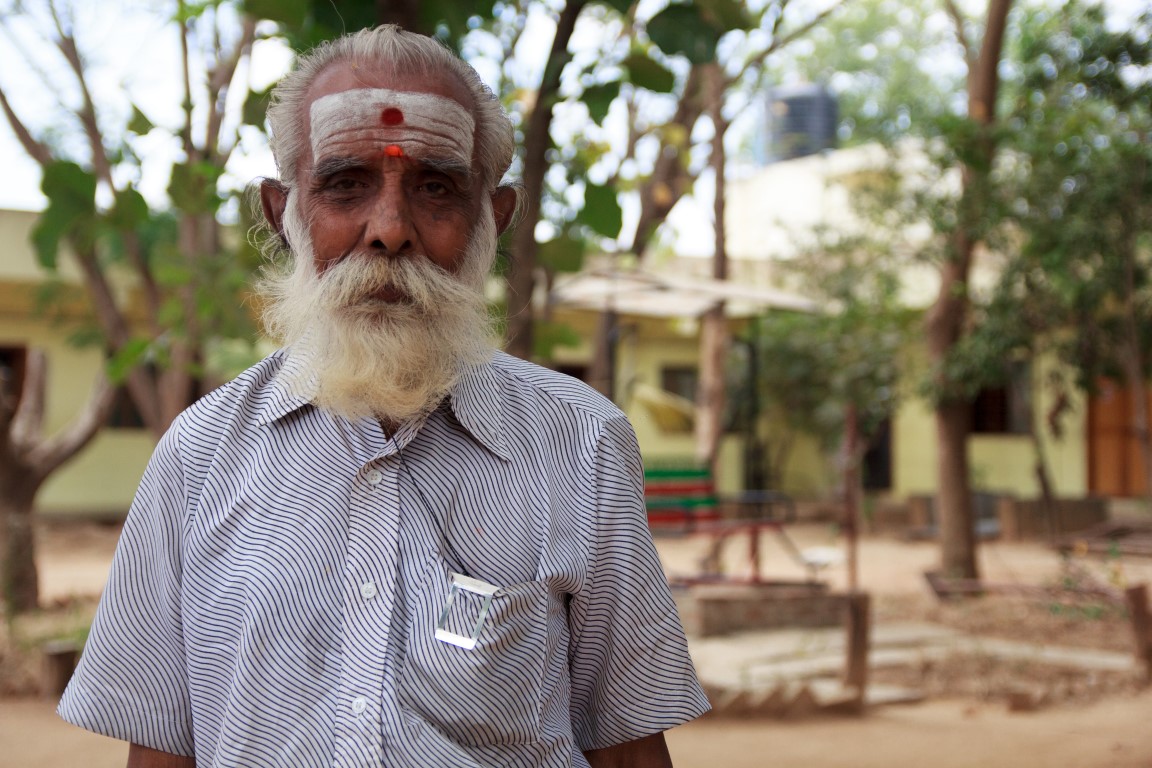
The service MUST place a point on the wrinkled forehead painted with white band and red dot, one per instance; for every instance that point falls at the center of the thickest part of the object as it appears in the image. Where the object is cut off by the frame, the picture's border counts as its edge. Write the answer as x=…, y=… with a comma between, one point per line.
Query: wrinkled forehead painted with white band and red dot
x=401, y=124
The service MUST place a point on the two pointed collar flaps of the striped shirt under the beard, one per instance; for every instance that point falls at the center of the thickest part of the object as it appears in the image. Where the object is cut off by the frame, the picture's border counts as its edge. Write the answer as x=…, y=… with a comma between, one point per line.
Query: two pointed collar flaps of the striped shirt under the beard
x=478, y=401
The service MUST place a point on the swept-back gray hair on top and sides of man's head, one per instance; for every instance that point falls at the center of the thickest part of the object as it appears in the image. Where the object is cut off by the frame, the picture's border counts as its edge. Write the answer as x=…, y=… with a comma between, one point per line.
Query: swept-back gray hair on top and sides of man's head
x=408, y=54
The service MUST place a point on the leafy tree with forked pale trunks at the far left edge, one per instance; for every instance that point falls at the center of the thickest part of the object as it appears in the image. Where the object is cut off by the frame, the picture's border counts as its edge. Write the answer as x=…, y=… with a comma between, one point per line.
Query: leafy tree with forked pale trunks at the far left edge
x=163, y=284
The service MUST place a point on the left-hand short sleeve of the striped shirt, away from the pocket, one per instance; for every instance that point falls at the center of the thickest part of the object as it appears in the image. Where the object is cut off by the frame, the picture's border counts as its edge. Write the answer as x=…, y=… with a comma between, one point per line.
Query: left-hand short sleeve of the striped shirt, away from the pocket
x=131, y=683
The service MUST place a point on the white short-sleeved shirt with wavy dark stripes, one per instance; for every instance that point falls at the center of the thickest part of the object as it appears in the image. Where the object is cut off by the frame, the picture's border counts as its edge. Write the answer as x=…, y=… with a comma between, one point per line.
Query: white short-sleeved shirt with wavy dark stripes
x=276, y=595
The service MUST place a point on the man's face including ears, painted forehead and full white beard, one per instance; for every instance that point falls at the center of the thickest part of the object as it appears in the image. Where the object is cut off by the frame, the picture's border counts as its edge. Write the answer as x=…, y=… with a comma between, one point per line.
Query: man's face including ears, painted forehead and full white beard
x=392, y=237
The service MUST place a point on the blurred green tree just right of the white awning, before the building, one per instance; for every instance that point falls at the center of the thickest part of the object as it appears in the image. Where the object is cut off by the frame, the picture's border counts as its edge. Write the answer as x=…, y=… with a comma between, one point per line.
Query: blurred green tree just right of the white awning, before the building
x=817, y=368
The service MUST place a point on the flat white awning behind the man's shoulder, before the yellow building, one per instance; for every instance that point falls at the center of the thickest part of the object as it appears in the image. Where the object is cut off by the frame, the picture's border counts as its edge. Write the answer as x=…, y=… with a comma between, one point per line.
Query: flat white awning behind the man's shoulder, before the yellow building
x=640, y=293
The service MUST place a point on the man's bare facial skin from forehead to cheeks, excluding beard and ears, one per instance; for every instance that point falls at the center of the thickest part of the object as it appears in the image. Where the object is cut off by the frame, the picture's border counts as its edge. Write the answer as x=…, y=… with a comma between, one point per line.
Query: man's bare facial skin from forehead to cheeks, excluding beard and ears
x=390, y=169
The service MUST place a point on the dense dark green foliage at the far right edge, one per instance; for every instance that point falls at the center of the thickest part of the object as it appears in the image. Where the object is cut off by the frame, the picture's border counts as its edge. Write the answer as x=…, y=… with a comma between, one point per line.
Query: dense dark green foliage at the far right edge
x=1079, y=191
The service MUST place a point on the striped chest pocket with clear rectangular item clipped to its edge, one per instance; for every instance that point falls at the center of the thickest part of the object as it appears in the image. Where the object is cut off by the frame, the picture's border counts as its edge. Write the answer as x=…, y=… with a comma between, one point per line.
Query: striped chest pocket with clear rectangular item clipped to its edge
x=490, y=695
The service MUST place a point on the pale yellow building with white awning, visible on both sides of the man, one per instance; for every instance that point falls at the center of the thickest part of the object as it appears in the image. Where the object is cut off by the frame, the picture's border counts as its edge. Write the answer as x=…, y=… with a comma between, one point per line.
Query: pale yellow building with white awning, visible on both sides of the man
x=656, y=363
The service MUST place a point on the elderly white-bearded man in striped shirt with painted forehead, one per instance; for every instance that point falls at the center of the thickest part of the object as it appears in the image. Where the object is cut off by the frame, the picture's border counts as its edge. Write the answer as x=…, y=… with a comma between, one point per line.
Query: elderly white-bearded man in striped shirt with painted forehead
x=389, y=545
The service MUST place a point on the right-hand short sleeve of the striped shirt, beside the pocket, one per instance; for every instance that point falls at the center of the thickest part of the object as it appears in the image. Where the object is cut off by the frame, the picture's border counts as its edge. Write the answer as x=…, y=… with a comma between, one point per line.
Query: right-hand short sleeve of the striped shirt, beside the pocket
x=631, y=671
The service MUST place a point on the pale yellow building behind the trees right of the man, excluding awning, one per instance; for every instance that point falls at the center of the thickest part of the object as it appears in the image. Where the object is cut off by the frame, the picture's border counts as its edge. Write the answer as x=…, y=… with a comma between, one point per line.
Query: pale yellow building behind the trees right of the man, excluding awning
x=770, y=214
